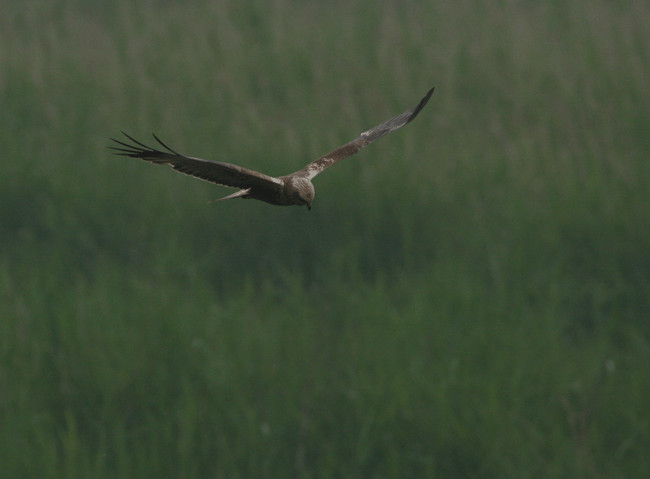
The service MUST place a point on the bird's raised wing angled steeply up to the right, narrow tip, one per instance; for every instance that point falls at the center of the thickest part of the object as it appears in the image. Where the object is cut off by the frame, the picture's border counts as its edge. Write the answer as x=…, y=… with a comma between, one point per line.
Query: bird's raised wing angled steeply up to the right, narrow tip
x=367, y=137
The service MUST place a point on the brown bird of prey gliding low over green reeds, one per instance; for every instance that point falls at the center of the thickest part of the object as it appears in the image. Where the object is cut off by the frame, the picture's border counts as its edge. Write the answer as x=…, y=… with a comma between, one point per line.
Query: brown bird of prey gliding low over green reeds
x=293, y=189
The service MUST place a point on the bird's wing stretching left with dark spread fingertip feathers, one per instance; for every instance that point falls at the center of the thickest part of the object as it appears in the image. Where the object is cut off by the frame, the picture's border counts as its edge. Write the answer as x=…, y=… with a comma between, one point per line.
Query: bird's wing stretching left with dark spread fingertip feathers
x=214, y=171
